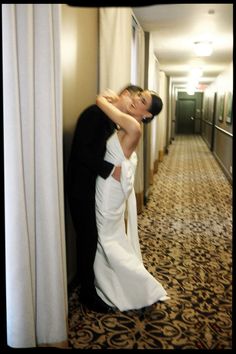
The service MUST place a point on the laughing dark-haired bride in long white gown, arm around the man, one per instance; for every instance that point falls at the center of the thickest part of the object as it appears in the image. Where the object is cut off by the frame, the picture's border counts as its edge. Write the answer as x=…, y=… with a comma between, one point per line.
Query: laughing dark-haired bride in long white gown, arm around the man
x=121, y=279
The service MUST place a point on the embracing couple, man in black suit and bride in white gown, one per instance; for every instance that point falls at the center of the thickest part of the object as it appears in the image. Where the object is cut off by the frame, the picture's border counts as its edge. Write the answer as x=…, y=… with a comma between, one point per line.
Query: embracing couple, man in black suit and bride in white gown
x=100, y=187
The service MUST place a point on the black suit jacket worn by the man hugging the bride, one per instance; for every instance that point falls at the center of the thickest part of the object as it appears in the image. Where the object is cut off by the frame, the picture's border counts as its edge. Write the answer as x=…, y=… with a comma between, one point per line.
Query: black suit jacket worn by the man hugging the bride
x=88, y=148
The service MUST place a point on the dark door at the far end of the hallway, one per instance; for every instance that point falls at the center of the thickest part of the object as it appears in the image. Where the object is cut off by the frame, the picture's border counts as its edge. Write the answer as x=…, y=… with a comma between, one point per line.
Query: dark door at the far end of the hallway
x=185, y=116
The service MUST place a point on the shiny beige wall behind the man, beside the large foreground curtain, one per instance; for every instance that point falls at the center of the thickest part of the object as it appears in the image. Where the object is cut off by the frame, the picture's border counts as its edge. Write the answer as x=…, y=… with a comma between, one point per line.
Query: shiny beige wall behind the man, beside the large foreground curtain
x=80, y=82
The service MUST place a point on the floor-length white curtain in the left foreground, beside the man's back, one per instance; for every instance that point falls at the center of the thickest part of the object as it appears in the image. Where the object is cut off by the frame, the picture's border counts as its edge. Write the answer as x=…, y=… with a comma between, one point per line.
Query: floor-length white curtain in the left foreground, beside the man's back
x=36, y=285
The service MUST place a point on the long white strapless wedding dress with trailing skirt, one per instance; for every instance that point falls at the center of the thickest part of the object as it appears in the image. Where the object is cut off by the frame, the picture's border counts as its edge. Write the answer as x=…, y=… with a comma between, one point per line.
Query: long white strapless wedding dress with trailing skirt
x=121, y=279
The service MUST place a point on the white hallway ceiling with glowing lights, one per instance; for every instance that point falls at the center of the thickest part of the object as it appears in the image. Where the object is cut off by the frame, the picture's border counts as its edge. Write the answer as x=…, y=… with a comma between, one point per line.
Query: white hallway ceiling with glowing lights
x=175, y=27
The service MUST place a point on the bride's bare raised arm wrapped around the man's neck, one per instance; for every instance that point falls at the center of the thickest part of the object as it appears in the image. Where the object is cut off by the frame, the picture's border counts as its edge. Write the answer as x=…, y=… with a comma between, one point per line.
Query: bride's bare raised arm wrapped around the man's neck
x=129, y=124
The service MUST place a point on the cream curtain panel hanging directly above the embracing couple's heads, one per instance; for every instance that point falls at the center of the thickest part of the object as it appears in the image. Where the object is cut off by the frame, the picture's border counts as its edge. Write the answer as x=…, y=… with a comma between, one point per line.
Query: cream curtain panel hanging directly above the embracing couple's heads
x=115, y=33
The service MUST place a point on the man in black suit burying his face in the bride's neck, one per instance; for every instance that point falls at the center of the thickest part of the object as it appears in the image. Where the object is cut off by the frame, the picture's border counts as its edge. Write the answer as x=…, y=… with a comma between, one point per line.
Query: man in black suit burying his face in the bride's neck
x=86, y=162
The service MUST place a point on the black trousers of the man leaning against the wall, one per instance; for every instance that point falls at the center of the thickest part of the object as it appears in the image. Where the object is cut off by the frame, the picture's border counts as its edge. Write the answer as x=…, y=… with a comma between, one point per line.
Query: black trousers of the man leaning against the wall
x=84, y=221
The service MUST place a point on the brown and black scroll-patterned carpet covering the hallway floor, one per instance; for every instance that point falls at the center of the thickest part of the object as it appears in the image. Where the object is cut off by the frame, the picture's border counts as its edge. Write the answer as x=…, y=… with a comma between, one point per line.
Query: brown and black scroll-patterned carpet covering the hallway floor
x=186, y=241
